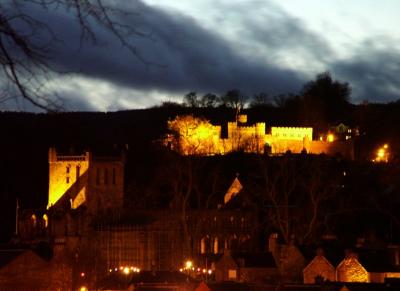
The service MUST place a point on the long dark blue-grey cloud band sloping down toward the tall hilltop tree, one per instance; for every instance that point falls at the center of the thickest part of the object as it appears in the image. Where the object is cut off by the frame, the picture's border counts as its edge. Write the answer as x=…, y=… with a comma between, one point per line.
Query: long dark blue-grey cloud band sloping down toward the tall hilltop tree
x=192, y=57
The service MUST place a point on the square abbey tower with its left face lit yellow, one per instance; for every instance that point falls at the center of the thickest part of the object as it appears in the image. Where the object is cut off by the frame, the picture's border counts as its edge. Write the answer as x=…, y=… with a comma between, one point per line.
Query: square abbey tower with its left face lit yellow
x=76, y=180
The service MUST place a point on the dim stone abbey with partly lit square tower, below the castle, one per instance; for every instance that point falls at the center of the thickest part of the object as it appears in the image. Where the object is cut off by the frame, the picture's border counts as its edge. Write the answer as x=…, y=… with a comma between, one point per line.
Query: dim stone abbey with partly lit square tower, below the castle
x=86, y=220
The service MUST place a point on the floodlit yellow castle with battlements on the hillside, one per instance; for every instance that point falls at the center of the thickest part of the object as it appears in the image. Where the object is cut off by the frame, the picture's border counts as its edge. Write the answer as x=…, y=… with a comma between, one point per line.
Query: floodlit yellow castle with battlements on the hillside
x=199, y=137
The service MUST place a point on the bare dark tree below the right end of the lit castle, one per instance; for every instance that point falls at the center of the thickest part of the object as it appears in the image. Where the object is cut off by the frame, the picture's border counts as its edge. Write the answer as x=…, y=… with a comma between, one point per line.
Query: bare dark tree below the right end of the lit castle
x=293, y=193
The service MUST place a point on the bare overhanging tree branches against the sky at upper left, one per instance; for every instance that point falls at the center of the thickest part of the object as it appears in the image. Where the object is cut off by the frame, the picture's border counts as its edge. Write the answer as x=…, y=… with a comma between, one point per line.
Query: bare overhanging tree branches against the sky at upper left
x=25, y=53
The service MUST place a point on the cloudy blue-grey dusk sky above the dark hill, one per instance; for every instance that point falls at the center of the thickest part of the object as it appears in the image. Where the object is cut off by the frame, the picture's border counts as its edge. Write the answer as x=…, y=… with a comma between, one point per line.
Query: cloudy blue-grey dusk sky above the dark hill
x=215, y=45
